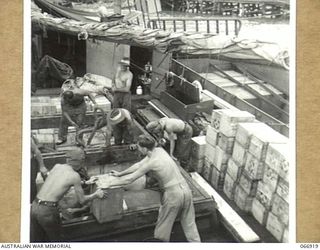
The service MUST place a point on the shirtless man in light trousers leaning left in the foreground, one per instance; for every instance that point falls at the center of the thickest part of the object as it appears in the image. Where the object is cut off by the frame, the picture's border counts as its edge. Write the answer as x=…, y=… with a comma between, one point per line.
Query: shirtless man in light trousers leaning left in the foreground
x=176, y=194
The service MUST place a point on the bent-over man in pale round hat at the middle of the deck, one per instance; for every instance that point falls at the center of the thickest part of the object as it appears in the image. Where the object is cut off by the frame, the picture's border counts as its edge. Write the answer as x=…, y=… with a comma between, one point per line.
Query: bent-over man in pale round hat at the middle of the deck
x=122, y=126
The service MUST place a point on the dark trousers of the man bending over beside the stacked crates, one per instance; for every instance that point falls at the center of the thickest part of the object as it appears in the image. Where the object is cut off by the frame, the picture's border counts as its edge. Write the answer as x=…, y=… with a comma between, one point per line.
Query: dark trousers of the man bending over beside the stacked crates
x=183, y=145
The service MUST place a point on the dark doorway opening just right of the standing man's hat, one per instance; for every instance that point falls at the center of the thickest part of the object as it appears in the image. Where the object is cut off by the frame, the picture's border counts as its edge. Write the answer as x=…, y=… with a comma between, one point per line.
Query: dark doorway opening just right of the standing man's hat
x=139, y=57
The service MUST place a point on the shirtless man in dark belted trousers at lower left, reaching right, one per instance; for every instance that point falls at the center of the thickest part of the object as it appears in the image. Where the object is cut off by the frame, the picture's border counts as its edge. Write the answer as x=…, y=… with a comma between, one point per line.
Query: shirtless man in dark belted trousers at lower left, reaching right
x=45, y=218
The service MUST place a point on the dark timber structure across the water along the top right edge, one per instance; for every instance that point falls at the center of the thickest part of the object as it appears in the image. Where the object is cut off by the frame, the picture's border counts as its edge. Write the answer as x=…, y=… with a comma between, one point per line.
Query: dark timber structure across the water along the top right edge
x=229, y=8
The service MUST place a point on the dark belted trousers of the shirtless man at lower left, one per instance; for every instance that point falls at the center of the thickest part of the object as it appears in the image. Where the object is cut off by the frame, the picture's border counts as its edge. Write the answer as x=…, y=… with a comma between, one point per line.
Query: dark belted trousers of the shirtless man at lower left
x=45, y=223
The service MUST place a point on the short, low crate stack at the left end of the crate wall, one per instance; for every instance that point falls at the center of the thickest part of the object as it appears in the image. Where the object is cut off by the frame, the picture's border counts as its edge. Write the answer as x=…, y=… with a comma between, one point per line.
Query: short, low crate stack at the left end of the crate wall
x=198, y=147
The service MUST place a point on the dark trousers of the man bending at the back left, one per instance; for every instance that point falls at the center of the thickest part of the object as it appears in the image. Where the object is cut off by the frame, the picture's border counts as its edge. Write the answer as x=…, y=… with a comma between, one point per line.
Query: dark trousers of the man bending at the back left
x=77, y=114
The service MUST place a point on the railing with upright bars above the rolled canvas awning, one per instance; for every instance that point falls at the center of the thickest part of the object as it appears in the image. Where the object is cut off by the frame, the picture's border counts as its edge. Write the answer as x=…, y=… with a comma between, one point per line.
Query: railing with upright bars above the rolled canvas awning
x=226, y=26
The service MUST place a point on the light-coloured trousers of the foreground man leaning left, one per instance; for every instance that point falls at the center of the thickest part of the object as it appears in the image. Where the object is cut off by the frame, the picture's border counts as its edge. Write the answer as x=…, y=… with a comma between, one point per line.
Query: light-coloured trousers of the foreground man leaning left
x=176, y=202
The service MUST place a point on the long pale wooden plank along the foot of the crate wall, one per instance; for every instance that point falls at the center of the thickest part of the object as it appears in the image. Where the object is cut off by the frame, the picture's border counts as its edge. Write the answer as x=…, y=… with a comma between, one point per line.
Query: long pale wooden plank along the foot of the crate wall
x=231, y=220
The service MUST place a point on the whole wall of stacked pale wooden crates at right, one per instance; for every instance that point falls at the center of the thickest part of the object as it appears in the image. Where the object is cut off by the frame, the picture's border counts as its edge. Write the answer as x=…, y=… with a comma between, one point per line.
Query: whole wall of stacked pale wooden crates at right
x=247, y=161
